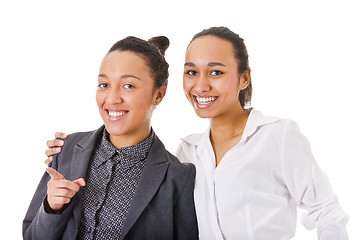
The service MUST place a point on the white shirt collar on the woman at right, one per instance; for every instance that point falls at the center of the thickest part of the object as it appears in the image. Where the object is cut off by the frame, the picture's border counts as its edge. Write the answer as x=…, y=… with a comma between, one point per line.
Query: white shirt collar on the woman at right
x=255, y=120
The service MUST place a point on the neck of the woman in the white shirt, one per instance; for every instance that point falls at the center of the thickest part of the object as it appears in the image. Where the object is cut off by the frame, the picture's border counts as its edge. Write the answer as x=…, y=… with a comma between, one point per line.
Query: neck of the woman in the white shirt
x=228, y=126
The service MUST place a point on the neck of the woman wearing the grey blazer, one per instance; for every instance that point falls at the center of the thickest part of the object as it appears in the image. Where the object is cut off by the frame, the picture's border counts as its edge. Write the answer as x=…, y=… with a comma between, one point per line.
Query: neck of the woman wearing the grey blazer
x=129, y=139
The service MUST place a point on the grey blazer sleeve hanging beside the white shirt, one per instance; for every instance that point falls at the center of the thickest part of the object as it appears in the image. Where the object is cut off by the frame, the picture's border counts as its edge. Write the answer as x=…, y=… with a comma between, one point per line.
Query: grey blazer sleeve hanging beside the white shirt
x=185, y=222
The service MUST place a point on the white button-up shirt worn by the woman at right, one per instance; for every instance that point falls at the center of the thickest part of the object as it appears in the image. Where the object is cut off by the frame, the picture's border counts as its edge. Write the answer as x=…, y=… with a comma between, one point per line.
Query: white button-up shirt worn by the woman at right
x=254, y=191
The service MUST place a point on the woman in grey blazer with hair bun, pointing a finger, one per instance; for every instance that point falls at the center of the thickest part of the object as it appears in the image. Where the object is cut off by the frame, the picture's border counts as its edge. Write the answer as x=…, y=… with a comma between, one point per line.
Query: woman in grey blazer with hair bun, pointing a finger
x=119, y=181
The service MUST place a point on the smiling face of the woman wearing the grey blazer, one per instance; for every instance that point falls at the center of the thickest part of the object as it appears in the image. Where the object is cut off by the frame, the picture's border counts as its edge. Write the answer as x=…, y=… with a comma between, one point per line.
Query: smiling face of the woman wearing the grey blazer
x=125, y=94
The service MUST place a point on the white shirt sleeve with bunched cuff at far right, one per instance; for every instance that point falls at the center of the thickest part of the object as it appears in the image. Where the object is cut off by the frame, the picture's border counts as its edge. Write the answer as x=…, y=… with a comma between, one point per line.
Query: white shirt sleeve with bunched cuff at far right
x=310, y=187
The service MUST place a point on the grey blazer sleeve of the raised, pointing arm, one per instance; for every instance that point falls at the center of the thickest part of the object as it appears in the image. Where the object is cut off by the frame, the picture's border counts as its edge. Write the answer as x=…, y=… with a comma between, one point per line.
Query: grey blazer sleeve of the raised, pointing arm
x=38, y=224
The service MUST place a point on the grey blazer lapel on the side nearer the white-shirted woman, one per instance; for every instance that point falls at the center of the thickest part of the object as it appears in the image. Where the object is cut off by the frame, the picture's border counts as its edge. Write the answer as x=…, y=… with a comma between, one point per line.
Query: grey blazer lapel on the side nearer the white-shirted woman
x=152, y=176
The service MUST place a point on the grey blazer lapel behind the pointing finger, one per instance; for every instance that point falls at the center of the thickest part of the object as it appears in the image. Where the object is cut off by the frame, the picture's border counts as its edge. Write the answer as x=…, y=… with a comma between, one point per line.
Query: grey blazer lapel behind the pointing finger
x=82, y=154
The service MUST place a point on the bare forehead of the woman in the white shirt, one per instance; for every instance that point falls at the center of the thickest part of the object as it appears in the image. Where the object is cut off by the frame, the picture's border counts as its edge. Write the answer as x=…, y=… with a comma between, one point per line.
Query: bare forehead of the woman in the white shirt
x=210, y=47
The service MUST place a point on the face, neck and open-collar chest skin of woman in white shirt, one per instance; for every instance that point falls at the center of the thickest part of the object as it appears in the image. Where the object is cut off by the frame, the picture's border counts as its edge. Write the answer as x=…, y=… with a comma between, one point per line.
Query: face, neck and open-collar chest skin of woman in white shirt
x=211, y=84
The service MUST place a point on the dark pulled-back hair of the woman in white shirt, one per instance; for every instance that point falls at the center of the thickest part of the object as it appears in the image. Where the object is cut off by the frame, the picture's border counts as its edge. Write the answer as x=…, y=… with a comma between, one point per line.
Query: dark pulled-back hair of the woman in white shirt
x=241, y=55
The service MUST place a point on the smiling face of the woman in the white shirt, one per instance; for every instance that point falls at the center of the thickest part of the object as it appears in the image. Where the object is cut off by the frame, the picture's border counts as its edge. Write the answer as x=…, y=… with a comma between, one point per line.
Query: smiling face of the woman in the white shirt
x=211, y=79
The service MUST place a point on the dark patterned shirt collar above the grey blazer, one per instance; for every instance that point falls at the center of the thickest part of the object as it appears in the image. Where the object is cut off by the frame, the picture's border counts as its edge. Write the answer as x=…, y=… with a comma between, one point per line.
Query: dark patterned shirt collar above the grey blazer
x=132, y=153
